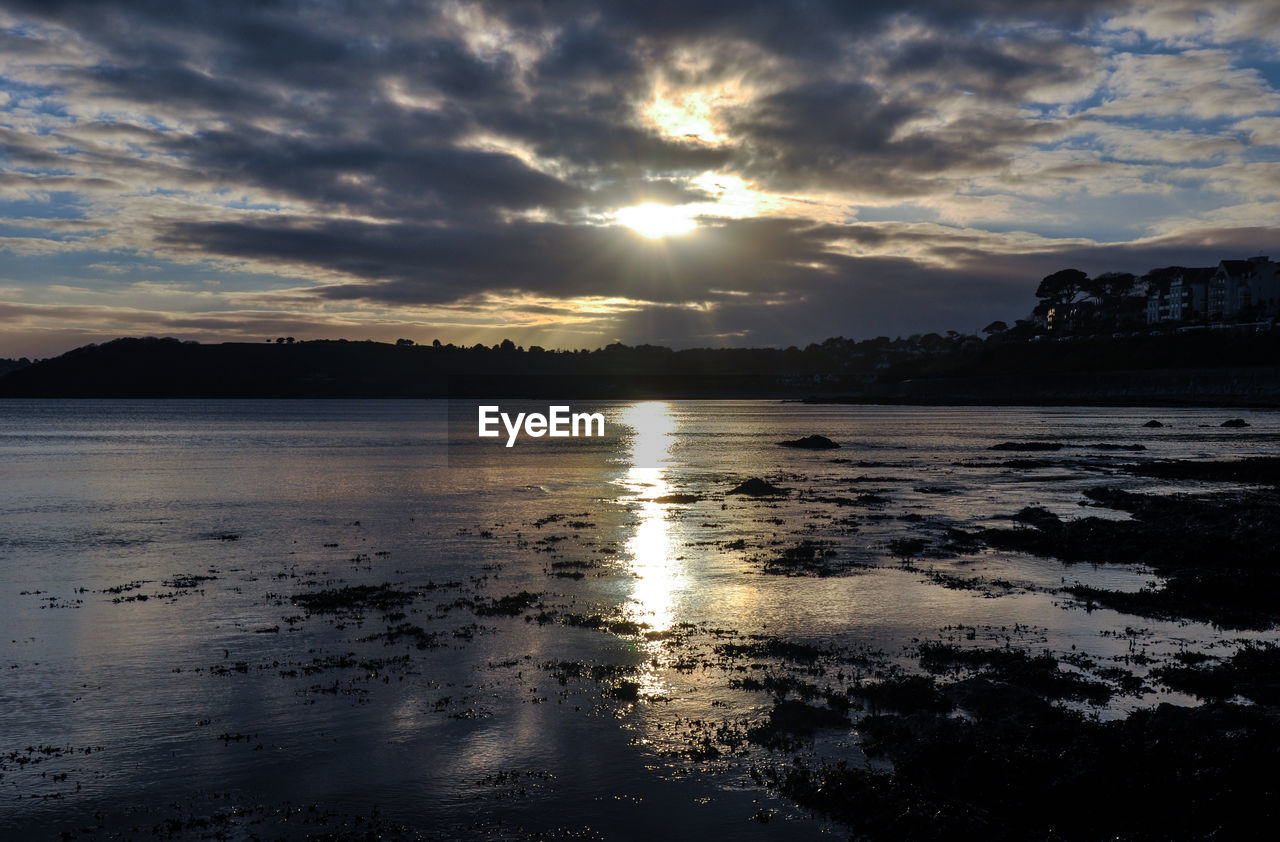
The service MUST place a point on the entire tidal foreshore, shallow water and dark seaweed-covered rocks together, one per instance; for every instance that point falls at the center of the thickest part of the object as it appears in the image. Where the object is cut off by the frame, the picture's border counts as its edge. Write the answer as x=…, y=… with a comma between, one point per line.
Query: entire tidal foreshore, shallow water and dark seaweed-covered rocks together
x=327, y=620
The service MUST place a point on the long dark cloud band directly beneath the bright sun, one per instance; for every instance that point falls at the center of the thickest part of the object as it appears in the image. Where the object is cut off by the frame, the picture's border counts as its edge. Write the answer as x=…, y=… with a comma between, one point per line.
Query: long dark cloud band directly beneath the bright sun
x=429, y=264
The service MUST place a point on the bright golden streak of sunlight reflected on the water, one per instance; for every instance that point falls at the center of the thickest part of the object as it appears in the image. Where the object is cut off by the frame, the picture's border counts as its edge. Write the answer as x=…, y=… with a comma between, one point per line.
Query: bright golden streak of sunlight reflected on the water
x=651, y=550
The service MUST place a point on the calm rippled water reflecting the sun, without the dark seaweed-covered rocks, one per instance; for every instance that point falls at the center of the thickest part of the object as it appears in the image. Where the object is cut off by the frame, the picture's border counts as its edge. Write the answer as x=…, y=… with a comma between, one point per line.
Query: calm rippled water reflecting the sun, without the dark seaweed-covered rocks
x=157, y=665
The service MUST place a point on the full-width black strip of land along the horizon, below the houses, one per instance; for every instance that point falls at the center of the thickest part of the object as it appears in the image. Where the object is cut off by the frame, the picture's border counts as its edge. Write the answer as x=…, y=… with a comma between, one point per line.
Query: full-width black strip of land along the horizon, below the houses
x=1205, y=368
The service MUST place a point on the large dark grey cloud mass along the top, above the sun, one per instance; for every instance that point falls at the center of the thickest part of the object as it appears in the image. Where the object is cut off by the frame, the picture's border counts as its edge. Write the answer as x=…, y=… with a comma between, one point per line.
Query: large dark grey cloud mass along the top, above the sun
x=323, y=70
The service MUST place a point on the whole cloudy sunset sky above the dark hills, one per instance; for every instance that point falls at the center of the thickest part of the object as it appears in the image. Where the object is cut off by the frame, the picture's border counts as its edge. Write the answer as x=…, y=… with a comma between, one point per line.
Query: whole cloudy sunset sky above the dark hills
x=574, y=175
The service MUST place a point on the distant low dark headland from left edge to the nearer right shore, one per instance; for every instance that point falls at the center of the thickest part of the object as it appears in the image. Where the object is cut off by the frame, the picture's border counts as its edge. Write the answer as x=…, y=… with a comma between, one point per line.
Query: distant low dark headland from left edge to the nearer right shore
x=171, y=369
